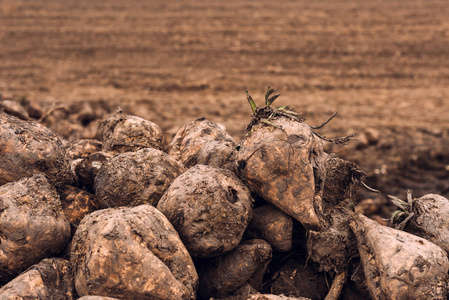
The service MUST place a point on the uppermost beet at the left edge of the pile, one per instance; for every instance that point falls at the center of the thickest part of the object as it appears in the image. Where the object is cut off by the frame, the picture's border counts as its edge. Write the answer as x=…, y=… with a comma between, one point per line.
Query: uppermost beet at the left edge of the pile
x=28, y=148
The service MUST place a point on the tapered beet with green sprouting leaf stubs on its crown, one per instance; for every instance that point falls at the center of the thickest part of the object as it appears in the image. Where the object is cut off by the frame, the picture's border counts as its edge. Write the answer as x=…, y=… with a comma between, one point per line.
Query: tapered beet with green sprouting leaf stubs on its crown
x=283, y=163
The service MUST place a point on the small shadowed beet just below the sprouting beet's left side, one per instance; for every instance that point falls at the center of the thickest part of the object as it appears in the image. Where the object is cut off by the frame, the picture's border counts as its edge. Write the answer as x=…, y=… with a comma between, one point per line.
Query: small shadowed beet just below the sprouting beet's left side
x=273, y=226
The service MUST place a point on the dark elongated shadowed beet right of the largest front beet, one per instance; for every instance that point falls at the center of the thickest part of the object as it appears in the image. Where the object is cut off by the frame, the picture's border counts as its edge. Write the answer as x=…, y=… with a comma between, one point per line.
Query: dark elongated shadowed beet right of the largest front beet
x=227, y=273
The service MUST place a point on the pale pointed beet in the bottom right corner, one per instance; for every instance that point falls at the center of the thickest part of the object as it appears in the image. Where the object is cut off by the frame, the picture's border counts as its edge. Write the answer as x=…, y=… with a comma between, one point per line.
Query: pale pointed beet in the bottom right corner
x=399, y=265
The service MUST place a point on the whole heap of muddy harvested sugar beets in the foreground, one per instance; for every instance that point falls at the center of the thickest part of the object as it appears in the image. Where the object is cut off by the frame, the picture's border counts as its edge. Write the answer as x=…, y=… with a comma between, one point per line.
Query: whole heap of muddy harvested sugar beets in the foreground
x=128, y=217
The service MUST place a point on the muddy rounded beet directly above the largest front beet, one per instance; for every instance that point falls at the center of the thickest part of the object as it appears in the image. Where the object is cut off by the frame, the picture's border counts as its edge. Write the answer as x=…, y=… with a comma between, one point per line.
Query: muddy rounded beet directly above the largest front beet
x=135, y=178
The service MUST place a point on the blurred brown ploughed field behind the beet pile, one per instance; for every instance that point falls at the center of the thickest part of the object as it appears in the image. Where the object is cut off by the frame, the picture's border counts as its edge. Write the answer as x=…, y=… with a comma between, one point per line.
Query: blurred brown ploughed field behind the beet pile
x=382, y=65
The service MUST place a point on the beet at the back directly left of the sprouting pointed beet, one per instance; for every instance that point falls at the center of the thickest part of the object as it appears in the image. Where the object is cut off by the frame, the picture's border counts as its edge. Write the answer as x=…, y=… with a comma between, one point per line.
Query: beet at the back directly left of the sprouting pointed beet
x=205, y=143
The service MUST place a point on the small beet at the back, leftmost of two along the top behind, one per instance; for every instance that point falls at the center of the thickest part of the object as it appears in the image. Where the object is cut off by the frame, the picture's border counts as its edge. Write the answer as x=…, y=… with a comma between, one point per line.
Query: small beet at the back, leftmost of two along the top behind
x=121, y=133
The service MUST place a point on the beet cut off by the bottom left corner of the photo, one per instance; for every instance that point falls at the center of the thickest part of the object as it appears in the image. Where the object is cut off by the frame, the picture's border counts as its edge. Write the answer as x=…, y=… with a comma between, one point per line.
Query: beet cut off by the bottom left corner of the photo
x=50, y=279
